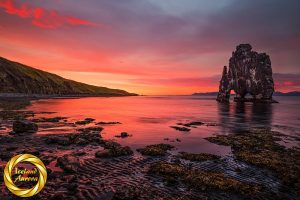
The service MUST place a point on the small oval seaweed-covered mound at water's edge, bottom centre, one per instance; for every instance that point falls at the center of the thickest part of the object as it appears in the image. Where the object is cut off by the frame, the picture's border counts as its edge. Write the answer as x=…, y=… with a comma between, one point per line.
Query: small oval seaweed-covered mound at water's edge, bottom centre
x=156, y=150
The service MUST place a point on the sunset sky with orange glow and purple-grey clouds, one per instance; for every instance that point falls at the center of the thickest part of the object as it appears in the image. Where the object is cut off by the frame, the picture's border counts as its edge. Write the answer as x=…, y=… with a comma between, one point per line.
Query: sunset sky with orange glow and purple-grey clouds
x=150, y=47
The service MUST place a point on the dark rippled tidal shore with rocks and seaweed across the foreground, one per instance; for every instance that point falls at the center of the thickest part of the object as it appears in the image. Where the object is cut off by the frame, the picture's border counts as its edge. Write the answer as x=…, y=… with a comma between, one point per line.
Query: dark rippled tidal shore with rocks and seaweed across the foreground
x=82, y=164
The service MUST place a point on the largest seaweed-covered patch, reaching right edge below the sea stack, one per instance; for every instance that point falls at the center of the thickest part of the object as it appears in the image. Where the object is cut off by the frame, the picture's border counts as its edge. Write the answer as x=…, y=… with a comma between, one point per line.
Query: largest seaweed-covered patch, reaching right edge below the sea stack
x=259, y=147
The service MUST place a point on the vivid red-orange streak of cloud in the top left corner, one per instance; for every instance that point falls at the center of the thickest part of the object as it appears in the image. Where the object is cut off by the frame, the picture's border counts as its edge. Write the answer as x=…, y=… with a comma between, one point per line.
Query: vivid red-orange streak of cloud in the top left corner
x=41, y=17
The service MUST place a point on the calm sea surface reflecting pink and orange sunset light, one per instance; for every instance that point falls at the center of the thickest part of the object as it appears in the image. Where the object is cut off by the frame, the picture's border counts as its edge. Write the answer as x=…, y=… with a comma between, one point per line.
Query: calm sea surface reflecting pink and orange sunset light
x=148, y=118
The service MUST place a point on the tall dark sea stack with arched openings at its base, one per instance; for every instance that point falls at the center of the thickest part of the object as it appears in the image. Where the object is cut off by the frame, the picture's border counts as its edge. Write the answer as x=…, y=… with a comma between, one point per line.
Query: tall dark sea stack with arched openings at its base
x=249, y=73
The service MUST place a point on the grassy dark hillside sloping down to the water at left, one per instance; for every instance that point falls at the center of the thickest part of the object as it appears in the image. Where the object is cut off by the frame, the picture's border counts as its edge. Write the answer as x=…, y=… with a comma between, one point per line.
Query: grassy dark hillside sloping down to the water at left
x=18, y=78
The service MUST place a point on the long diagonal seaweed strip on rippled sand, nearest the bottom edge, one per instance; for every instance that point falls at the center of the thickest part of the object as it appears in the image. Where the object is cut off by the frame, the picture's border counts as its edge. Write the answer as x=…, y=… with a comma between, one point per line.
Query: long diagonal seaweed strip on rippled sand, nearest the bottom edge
x=202, y=180
